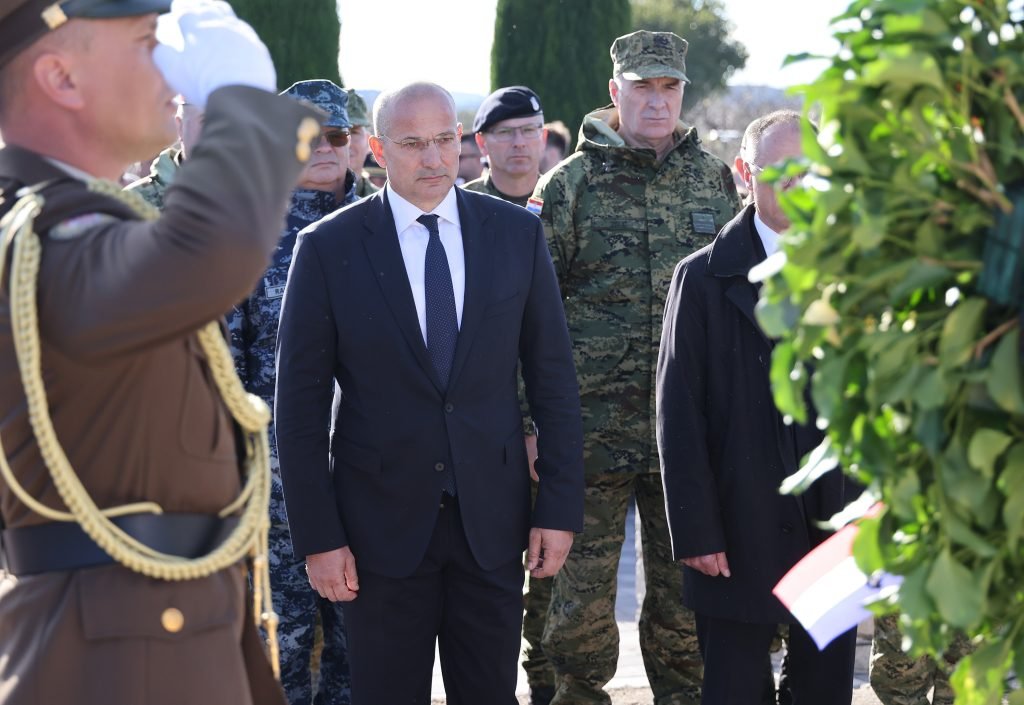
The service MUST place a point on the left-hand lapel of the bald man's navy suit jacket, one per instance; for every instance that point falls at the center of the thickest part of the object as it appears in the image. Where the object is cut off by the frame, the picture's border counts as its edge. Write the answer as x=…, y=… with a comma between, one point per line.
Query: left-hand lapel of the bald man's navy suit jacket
x=381, y=242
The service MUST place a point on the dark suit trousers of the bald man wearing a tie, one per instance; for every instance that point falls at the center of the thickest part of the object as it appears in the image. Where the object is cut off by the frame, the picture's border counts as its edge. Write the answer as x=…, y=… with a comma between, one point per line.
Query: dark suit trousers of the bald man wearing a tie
x=476, y=616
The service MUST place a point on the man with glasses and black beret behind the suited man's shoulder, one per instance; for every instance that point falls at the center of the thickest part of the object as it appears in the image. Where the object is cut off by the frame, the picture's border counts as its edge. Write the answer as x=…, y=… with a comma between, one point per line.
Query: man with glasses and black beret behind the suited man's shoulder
x=509, y=131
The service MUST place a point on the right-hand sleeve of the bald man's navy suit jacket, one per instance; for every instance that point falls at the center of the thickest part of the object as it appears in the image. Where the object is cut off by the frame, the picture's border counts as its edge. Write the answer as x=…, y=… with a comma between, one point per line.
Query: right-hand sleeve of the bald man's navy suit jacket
x=549, y=374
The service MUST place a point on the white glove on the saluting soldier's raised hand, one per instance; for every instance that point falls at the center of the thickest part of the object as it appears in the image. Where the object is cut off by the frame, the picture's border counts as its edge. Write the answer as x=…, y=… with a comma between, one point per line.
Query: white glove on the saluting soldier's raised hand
x=203, y=47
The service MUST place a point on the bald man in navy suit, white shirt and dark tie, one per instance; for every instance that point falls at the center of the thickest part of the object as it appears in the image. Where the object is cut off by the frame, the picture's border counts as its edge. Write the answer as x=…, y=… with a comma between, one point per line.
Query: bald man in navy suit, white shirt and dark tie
x=420, y=303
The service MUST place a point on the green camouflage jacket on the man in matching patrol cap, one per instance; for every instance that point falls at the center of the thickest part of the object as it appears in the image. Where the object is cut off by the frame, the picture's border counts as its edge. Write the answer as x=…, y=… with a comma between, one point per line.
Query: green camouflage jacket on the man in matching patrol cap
x=618, y=222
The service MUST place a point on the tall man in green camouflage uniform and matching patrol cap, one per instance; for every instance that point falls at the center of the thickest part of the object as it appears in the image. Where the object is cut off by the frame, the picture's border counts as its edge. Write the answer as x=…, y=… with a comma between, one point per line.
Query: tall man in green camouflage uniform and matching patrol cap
x=637, y=196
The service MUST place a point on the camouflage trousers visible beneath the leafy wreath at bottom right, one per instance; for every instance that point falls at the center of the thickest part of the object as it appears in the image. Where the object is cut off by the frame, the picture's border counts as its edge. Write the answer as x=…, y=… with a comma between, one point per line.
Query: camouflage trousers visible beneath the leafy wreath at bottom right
x=900, y=680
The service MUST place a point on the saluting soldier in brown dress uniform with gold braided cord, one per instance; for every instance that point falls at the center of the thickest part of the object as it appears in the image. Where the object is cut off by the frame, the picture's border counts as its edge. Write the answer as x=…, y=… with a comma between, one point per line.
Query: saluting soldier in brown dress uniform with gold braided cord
x=126, y=527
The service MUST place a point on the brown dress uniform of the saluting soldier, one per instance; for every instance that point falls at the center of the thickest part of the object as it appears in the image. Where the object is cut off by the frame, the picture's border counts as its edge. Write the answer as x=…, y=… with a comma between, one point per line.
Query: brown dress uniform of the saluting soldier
x=138, y=413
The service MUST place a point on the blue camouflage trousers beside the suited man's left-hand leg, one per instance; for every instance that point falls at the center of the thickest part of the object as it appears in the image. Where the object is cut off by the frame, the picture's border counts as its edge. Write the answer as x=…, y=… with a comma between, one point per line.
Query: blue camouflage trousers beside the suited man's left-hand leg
x=298, y=607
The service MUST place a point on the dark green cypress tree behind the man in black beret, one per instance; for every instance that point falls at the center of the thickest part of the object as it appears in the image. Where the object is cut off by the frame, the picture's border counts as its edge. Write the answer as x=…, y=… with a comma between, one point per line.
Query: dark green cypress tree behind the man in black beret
x=561, y=50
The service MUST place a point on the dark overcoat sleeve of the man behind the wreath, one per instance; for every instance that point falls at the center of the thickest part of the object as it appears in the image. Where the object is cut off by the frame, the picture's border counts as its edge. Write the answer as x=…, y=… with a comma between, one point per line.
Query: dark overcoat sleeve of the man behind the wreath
x=691, y=494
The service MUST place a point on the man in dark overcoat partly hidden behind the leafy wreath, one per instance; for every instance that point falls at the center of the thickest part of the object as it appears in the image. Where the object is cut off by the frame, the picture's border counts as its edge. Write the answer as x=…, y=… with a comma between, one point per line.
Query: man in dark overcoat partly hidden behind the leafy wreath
x=726, y=450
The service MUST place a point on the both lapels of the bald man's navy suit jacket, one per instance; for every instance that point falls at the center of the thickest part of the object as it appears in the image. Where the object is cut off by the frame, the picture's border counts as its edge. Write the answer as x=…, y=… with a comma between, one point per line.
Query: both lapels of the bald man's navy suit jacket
x=381, y=242
